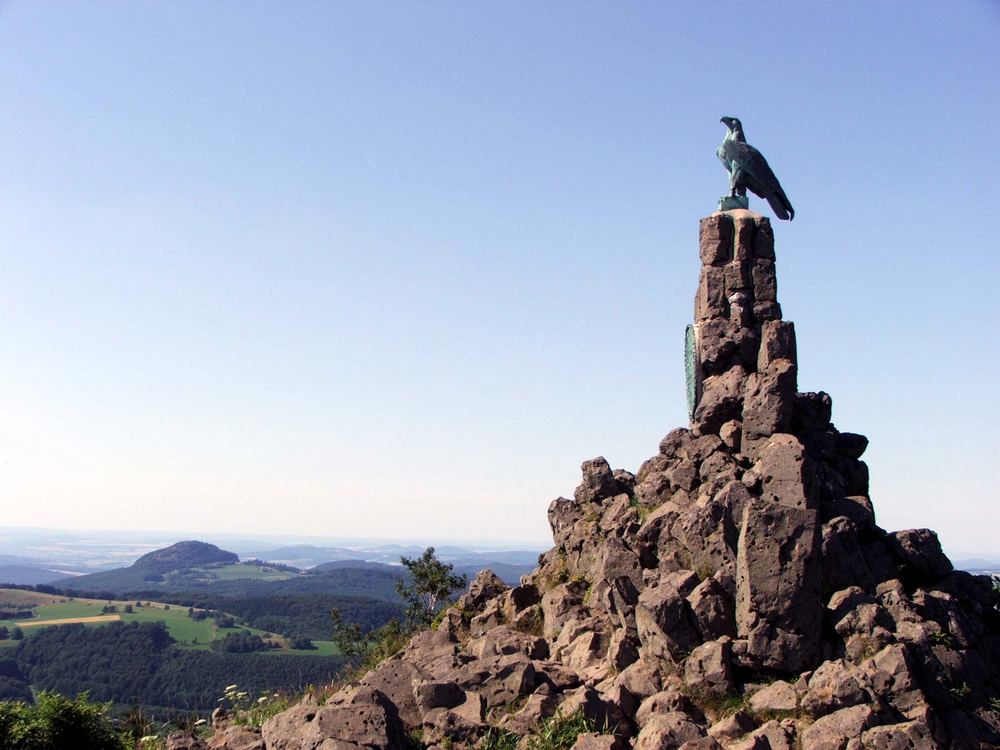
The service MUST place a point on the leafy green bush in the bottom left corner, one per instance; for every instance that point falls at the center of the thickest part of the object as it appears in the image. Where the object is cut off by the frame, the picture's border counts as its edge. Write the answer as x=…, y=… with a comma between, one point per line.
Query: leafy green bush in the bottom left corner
x=57, y=723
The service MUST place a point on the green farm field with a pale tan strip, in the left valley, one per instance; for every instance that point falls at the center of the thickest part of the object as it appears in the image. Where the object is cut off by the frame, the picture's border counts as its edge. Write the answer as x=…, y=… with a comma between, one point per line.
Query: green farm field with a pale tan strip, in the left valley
x=189, y=633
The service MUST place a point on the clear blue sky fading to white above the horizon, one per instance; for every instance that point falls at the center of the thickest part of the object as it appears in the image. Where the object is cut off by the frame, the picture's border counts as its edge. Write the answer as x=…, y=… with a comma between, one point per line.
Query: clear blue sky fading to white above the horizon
x=395, y=269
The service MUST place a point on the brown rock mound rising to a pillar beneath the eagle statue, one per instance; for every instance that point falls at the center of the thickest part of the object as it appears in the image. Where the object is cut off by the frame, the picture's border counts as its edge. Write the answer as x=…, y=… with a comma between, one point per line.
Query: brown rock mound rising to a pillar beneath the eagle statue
x=735, y=592
